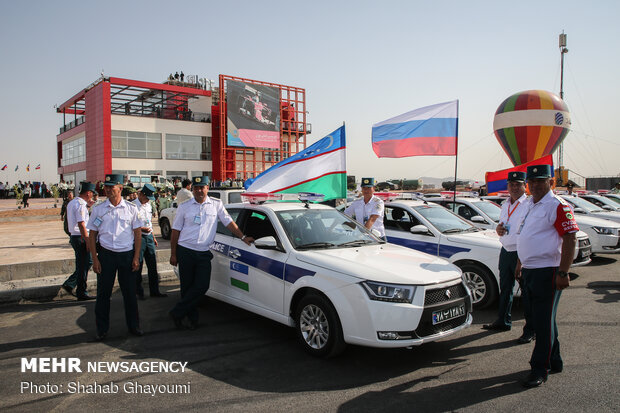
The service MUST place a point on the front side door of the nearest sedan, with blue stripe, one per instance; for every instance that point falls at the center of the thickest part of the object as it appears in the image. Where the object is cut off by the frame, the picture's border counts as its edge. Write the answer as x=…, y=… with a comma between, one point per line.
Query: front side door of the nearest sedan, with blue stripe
x=257, y=275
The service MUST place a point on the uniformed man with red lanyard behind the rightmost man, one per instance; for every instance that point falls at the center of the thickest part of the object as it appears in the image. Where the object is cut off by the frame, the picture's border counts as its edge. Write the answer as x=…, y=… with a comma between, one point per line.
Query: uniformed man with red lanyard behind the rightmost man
x=510, y=218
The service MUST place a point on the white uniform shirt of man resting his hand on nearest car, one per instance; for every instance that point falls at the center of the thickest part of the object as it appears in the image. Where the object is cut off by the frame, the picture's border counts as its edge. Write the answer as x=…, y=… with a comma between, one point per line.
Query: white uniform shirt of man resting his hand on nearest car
x=197, y=223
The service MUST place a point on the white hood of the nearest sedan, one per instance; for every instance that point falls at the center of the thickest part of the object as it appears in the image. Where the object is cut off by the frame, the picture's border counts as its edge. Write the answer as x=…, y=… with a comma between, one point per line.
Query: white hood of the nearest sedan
x=384, y=263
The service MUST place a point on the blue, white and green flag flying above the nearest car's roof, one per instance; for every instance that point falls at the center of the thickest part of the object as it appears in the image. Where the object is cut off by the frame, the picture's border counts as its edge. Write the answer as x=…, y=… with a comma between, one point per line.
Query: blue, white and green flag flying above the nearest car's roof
x=319, y=168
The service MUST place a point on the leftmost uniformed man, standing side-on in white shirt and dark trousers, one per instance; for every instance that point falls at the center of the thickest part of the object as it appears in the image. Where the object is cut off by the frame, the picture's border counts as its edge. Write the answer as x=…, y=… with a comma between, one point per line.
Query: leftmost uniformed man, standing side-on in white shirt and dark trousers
x=77, y=220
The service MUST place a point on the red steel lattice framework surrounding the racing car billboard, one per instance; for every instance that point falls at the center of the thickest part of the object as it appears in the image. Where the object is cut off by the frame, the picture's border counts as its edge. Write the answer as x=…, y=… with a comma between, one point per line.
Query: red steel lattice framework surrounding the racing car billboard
x=242, y=163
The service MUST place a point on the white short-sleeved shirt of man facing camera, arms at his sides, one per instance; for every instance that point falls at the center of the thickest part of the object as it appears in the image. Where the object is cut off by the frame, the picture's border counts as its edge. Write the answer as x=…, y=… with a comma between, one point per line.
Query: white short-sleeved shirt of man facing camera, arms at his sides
x=115, y=225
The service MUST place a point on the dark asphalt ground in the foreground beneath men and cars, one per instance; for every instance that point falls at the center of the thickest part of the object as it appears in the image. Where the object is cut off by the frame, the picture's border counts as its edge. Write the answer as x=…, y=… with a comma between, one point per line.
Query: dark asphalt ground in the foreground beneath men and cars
x=238, y=361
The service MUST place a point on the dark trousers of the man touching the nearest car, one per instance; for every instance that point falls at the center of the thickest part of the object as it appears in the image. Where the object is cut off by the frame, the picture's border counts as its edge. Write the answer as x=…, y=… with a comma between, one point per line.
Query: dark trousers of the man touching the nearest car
x=195, y=277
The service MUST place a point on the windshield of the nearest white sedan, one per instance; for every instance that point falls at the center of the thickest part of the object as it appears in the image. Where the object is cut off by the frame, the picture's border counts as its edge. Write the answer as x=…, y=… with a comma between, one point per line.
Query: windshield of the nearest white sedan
x=323, y=228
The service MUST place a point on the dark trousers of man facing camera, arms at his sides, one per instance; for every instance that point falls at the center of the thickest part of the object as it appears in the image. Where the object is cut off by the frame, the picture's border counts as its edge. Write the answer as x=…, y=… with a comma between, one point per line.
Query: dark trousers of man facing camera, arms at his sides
x=111, y=264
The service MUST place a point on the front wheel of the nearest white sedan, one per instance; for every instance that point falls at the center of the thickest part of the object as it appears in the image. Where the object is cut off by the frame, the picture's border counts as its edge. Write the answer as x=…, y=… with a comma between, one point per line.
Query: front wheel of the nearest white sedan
x=318, y=327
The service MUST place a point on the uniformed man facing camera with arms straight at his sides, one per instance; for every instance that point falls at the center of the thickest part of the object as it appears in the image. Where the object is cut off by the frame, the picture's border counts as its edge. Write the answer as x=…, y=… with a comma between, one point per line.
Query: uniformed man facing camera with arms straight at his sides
x=114, y=224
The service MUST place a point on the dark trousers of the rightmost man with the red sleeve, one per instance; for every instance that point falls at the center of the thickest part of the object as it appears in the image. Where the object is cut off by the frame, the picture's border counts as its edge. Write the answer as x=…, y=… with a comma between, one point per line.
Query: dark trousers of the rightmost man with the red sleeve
x=543, y=301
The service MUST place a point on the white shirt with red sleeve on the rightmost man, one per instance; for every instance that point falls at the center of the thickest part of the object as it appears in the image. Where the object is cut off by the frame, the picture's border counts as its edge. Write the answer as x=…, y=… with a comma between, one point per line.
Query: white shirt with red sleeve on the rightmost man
x=539, y=243
